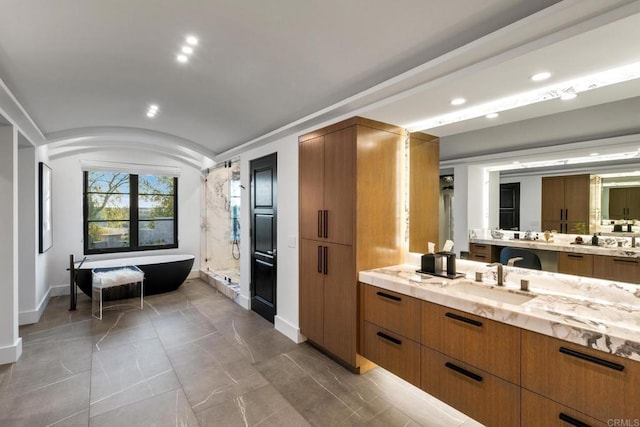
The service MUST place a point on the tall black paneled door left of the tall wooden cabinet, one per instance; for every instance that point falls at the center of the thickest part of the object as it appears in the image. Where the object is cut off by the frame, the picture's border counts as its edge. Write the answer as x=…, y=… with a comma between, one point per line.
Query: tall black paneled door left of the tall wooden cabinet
x=263, y=236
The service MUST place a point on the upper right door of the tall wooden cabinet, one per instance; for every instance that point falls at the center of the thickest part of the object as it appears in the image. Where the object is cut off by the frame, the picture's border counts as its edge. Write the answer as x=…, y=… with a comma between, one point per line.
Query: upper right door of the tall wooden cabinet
x=340, y=185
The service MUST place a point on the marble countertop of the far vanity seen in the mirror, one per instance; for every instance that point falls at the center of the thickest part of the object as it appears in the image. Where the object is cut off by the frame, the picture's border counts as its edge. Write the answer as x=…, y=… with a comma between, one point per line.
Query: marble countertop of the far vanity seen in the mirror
x=562, y=247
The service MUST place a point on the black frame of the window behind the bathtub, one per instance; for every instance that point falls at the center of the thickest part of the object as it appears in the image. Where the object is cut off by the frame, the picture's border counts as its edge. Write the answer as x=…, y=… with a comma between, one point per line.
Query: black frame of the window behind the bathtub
x=134, y=220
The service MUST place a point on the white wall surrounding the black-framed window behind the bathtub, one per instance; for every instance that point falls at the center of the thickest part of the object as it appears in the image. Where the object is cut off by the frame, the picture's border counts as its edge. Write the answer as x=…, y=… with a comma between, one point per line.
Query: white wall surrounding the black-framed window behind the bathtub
x=67, y=210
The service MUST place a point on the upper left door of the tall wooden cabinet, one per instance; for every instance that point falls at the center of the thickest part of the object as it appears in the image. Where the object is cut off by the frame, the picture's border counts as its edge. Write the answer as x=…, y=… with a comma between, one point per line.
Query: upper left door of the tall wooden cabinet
x=311, y=190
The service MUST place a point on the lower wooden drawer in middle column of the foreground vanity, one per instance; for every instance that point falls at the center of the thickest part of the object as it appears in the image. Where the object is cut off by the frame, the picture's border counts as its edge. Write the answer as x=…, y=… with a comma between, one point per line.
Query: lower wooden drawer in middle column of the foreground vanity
x=482, y=396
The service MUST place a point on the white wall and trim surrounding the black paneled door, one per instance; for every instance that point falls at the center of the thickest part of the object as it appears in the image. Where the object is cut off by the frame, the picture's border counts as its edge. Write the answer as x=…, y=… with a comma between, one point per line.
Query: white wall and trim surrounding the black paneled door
x=286, y=320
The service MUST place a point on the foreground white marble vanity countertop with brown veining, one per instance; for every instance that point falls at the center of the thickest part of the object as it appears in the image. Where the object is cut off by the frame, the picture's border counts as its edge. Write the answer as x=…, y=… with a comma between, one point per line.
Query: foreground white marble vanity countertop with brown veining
x=599, y=314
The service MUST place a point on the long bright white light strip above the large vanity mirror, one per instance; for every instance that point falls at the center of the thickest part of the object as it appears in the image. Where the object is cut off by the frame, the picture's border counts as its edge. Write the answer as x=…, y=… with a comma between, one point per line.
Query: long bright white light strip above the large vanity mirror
x=583, y=84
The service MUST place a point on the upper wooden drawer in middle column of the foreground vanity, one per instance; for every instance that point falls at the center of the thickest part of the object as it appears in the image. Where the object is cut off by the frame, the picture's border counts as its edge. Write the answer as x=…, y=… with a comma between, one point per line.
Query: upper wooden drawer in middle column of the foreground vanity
x=483, y=343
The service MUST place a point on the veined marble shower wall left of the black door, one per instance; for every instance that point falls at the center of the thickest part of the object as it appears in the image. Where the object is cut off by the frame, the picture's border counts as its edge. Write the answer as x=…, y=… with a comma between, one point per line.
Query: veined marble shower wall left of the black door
x=222, y=202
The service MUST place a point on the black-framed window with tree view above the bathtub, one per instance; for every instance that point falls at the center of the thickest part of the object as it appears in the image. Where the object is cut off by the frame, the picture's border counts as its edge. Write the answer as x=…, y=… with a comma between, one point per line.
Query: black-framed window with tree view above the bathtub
x=126, y=212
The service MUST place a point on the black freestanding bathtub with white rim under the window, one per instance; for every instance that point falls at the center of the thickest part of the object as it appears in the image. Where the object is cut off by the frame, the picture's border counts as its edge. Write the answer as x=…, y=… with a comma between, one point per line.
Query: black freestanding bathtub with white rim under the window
x=162, y=273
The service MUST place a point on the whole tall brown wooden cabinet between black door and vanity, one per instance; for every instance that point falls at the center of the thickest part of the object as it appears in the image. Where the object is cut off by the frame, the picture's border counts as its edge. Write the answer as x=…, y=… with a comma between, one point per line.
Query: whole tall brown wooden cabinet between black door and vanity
x=350, y=210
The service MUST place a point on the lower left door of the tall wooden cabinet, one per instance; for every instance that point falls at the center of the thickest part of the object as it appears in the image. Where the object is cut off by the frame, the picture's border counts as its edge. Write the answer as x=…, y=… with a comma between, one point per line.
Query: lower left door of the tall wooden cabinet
x=311, y=290
